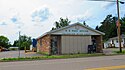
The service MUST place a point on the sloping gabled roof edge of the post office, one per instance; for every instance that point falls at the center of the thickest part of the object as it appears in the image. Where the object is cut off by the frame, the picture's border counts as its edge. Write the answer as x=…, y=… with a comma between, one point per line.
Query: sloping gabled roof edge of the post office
x=52, y=31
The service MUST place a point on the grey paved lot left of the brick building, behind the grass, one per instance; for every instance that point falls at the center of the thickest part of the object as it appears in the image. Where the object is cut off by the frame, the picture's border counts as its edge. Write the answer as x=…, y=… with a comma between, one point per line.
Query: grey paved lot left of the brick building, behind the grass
x=14, y=54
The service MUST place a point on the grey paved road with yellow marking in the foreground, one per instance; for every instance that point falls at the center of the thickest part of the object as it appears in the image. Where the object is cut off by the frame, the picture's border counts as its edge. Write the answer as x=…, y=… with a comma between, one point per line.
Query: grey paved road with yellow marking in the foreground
x=67, y=64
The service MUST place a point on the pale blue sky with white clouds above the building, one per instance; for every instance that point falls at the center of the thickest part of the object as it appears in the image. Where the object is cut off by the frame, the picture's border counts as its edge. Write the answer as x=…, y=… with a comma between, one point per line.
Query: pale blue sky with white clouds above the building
x=35, y=17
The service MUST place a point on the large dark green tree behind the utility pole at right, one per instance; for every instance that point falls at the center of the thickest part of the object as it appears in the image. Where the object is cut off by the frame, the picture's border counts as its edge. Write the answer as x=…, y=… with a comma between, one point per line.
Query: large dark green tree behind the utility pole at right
x=109, y=26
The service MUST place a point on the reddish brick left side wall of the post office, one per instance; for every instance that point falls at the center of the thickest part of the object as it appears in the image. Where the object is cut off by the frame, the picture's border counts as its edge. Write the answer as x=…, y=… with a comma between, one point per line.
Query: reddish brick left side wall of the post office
x=45, y=45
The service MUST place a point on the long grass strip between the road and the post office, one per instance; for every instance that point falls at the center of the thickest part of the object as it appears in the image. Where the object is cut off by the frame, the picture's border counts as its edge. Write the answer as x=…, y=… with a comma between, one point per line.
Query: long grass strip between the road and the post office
x=45, y=57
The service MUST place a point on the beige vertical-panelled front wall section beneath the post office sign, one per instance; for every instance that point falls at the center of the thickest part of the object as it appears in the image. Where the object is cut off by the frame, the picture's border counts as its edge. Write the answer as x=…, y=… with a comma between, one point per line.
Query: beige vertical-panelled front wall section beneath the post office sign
x=75, y=44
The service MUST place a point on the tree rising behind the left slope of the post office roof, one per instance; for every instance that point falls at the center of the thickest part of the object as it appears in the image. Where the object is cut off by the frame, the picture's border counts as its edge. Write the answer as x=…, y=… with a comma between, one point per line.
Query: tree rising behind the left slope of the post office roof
x=61, y=23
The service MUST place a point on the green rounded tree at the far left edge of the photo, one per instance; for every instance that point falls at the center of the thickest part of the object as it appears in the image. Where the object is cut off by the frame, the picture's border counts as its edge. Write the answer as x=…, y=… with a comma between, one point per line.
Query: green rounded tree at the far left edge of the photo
x=4, y=42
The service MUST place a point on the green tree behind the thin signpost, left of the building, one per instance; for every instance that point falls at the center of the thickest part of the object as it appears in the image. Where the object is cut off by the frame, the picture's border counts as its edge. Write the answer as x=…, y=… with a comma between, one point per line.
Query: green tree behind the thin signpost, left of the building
x=23, y=42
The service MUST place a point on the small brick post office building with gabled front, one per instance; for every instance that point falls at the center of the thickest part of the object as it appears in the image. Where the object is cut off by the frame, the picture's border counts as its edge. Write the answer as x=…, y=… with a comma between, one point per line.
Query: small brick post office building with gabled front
x=71, y=39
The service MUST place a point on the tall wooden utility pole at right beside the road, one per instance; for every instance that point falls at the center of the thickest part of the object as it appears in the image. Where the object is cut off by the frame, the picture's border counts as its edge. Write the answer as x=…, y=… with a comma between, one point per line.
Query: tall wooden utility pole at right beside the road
x=118, y=29
